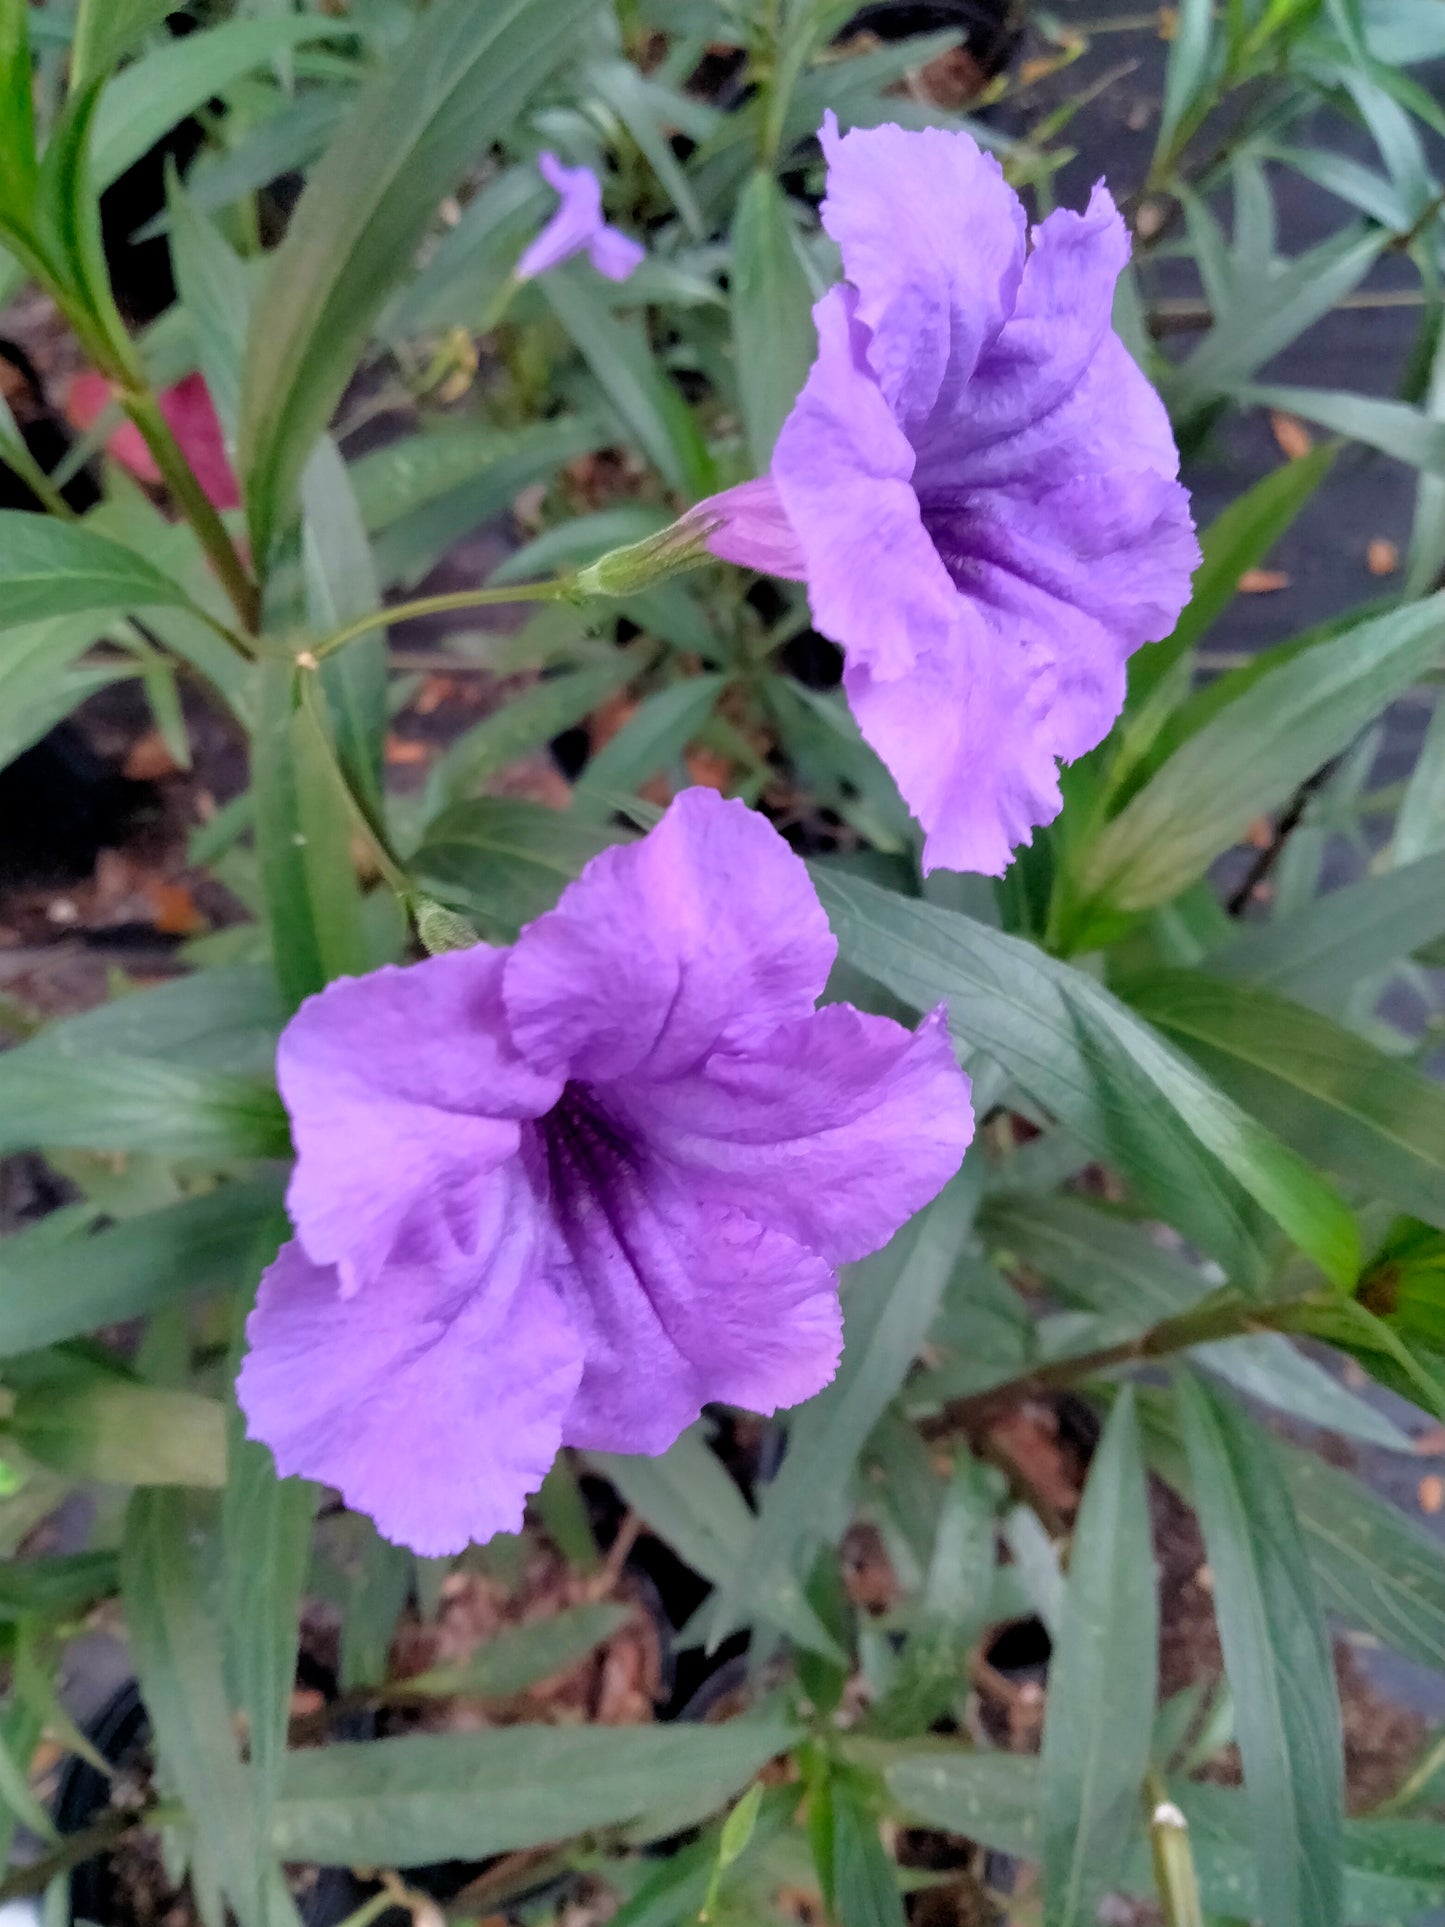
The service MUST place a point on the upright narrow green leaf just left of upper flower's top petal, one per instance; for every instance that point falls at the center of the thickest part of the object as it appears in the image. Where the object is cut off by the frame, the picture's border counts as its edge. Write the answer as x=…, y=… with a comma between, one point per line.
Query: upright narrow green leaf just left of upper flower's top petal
x=774, y=336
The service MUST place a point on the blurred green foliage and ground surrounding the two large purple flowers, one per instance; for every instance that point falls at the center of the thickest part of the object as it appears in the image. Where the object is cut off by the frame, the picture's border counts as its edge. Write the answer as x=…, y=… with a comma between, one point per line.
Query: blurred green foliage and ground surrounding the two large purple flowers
x=1072, y=1597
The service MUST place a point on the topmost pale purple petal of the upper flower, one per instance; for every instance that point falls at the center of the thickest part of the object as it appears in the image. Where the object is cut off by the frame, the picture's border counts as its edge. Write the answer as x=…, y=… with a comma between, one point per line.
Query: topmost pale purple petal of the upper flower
x=933, y=292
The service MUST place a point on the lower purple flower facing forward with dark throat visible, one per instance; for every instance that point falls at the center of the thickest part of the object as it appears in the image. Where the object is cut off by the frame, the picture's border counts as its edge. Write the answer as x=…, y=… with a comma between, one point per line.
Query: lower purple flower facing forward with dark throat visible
x=575, y=1190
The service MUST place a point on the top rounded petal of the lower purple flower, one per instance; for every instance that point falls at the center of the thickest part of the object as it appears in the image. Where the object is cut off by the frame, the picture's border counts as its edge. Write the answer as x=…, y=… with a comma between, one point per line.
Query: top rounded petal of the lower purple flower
x=704, y=934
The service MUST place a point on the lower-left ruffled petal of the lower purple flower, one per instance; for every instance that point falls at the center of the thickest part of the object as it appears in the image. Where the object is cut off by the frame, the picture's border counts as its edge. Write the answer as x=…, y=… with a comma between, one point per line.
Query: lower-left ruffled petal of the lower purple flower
x=434, y=1404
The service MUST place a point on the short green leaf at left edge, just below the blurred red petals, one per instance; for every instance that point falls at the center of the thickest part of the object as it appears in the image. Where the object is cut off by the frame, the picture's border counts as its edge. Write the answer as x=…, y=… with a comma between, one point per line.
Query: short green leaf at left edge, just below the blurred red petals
x=53, y=569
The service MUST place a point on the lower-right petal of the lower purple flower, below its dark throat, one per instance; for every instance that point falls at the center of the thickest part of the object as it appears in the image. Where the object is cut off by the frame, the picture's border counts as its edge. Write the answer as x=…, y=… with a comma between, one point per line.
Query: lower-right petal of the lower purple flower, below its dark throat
x=683, y=1302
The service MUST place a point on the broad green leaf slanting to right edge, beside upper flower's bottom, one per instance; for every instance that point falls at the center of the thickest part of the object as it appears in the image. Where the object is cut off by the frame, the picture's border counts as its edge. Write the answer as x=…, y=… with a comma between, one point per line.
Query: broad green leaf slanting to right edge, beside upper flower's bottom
x=1249, y=758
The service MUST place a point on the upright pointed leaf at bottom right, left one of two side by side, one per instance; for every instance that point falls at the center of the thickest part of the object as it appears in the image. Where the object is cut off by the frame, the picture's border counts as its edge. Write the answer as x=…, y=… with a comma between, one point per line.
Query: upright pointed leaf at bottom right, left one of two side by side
x=1101, y=1683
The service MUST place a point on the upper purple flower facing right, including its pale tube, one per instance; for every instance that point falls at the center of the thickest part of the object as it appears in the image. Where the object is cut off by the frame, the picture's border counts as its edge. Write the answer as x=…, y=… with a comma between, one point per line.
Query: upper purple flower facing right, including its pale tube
x=978, y=487
